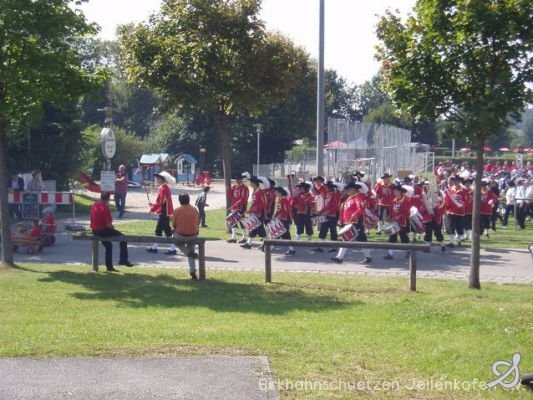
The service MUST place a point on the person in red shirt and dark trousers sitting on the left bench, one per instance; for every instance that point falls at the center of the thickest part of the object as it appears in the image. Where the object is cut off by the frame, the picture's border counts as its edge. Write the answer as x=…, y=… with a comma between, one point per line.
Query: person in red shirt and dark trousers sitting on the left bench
x=102, y=226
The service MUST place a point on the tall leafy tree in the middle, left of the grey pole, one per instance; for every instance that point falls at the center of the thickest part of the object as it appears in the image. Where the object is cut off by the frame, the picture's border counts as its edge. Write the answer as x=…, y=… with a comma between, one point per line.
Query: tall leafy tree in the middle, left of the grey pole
x=211, y=56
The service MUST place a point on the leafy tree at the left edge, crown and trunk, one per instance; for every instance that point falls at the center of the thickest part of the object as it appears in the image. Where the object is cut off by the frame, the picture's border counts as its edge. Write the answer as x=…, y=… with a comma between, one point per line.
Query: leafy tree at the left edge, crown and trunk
x=38, y=62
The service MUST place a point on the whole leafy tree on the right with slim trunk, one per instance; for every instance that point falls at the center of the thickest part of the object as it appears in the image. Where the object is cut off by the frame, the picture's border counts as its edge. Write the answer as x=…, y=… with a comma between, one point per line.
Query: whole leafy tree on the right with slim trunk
x=467, y=60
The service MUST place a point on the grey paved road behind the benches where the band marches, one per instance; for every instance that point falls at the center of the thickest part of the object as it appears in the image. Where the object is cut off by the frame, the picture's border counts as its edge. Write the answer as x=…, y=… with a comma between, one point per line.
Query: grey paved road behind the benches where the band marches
x=497, y=265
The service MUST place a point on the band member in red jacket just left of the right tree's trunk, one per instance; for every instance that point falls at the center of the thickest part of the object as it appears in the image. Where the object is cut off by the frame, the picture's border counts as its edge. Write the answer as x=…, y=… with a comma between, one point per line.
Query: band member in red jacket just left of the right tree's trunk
x=454, y=198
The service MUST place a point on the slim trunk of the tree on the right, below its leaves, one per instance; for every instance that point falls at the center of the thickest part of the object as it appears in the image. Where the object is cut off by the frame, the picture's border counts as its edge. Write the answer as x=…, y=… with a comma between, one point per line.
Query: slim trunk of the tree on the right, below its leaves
x=473, y=280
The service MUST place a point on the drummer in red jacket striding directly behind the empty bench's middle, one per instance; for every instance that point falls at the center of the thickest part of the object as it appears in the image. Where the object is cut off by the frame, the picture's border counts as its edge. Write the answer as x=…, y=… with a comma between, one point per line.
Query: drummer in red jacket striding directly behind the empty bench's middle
x=352, y=212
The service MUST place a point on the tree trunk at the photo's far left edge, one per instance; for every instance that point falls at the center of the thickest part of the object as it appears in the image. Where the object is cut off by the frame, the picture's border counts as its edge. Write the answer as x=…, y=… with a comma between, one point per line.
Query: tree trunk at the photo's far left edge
x=7, y=249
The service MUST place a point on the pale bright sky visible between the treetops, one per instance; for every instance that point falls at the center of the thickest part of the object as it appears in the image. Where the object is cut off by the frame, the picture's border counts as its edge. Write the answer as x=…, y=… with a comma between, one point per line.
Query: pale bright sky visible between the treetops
x=349, y=27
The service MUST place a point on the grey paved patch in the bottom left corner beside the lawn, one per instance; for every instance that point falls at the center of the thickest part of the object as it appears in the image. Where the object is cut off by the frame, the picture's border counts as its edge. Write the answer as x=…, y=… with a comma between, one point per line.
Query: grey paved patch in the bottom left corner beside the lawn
x=199, y=378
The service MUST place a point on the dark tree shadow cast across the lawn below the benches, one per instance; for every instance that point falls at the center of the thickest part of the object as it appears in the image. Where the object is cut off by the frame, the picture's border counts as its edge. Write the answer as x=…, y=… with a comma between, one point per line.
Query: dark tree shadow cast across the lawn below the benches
x=164, y=290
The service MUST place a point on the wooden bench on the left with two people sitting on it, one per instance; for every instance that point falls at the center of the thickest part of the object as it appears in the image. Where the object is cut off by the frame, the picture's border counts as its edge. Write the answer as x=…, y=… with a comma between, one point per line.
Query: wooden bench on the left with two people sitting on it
x=144, y=239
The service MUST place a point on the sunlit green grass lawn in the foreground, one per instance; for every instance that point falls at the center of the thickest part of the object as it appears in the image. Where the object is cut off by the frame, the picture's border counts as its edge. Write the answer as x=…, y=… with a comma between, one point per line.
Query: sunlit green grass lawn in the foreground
x=313, y=328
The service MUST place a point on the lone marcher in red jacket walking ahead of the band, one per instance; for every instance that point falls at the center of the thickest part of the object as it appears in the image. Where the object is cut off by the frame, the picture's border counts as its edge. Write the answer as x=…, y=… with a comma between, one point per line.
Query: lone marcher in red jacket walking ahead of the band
x=164, y=208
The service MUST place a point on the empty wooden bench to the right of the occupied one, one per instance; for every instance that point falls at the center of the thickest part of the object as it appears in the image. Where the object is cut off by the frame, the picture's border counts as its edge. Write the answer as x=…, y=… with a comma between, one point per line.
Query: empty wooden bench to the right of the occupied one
x=411, y=247
